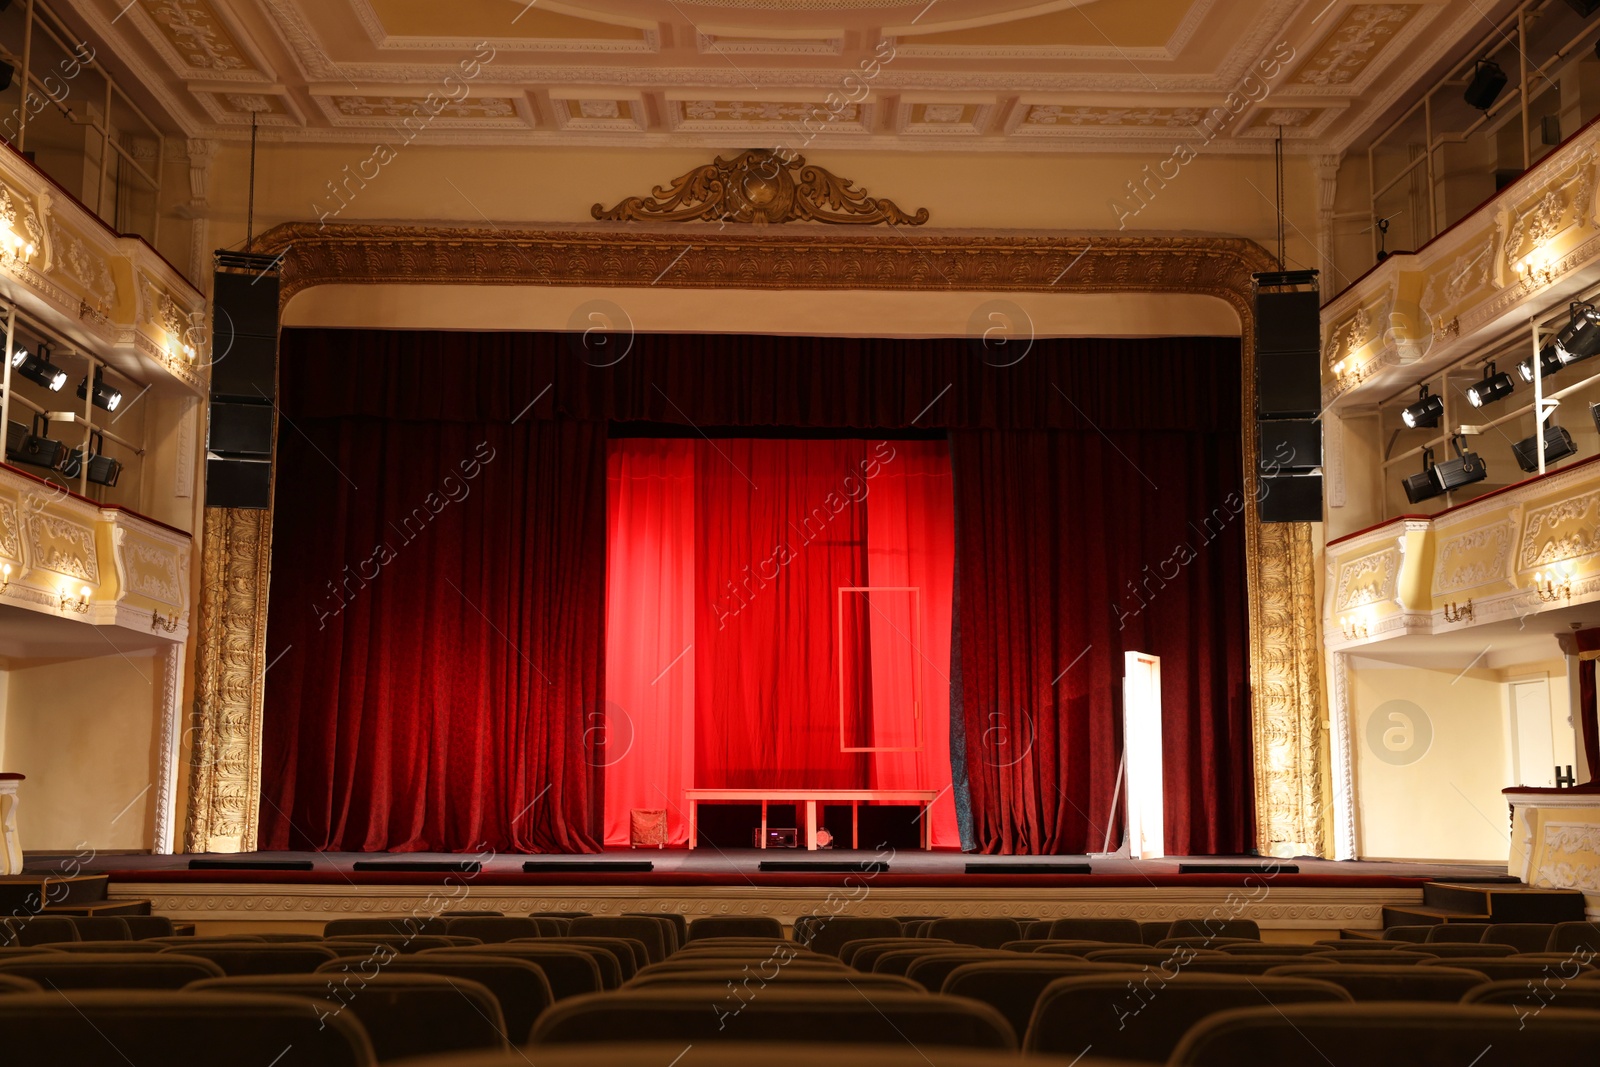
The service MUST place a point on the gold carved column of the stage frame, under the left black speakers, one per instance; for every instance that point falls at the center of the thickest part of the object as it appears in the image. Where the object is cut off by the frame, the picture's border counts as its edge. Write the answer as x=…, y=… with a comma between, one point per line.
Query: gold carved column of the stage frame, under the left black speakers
x=225, y=786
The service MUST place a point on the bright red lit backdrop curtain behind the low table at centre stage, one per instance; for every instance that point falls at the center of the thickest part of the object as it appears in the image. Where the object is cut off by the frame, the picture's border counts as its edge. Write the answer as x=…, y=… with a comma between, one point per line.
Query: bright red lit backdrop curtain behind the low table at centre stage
x=727, y=559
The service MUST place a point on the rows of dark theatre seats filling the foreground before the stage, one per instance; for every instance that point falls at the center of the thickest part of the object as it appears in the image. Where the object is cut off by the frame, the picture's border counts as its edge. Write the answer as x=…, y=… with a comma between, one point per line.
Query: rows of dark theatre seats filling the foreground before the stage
x=401, y=988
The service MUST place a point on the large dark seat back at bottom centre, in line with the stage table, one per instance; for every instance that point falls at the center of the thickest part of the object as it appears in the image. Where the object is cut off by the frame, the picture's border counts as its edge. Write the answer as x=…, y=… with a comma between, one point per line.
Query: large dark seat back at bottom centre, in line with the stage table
x=775, y=1015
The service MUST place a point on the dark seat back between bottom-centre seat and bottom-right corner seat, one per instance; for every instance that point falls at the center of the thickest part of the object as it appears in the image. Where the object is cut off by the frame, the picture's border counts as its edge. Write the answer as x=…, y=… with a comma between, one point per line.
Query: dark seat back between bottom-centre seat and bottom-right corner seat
x=1145, y=1020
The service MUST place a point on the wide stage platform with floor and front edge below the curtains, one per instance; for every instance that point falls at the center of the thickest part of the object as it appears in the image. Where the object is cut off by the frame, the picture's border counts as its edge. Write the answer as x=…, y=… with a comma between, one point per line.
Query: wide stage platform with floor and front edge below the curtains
x=1290, y=900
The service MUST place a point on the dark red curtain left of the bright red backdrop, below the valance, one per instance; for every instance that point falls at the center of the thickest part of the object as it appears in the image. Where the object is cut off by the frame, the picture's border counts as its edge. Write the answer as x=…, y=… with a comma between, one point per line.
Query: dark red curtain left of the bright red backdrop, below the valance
x=436, y=634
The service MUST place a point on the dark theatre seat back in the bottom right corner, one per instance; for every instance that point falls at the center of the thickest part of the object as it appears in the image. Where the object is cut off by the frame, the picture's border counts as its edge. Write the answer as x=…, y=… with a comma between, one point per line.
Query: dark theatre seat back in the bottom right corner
x=1391, y=1036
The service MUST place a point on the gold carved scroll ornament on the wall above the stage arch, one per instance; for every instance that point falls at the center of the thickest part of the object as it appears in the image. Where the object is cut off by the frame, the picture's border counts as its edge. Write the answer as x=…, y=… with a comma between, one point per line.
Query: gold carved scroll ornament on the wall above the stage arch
x=761, y=186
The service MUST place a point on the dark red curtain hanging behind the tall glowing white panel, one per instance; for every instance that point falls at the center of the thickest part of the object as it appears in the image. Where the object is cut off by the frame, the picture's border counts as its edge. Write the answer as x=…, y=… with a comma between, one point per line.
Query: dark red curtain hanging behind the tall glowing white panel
x=1073, y=549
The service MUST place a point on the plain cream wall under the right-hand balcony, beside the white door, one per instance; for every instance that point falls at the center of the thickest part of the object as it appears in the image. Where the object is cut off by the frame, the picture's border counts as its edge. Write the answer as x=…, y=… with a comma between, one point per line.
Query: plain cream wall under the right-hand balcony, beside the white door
x=1447, y=805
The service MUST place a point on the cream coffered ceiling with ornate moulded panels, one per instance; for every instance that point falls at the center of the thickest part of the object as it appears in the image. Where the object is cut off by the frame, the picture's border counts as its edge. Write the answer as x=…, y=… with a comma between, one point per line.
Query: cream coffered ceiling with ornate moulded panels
x=932, y=74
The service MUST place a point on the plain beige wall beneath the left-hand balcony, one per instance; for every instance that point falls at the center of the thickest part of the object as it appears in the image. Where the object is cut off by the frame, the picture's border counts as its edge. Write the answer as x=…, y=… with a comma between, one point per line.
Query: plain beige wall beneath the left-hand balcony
x=84, y=732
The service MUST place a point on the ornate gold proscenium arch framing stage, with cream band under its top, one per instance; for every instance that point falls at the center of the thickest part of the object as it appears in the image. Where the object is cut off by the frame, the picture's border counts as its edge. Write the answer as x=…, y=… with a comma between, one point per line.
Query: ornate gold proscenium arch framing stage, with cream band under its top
x=1058, y=279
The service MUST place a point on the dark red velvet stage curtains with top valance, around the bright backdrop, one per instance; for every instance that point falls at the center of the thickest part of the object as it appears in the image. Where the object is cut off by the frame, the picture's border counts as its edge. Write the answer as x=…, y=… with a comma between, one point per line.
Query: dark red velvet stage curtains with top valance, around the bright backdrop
x=450, y=697
